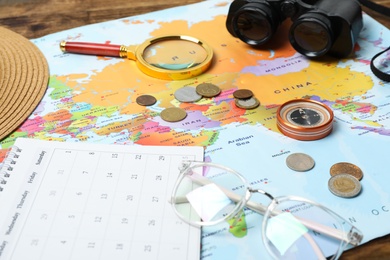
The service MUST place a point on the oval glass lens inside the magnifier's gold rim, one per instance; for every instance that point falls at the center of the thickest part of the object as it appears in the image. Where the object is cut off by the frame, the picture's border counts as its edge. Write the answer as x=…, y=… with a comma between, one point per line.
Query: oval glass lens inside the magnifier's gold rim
x=175, y=54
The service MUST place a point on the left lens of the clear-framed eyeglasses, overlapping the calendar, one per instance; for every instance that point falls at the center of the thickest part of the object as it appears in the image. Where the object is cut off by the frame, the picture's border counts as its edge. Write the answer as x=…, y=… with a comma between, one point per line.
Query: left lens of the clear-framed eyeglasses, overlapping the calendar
x=204, y=195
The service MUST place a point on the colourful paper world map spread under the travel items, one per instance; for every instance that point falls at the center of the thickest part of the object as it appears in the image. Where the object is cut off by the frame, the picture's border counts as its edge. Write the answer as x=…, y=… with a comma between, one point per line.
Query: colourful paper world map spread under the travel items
x=93, y=99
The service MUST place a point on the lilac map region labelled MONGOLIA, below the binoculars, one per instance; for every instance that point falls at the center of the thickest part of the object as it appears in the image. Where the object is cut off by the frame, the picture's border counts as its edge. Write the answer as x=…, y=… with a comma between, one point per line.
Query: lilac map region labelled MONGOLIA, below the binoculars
x=278, y=66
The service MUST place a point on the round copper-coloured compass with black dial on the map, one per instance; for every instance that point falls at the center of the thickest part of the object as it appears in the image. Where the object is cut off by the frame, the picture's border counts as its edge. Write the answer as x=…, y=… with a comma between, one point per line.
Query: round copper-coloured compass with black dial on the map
x=305, y=119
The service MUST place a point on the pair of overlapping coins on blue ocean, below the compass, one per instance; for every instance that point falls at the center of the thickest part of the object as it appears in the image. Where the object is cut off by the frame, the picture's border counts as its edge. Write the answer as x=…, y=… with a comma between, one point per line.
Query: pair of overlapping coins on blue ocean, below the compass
x=345, y=180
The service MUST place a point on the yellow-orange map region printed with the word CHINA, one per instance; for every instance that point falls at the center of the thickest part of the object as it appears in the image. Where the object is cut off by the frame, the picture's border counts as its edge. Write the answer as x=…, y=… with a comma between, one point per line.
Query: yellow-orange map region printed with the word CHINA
x=328, y=82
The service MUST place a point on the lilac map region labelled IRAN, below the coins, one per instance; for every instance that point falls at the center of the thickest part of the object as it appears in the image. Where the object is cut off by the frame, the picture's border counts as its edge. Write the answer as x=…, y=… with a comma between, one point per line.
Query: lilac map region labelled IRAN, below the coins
x=195, y=120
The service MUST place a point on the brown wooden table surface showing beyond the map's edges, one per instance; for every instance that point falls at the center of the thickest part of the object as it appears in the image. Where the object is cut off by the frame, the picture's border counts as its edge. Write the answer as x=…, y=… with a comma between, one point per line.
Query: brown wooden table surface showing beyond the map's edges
x=36, y=18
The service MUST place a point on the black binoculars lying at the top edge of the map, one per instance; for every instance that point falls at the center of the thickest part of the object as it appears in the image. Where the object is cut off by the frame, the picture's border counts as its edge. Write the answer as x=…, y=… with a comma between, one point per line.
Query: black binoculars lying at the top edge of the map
x=319, y=26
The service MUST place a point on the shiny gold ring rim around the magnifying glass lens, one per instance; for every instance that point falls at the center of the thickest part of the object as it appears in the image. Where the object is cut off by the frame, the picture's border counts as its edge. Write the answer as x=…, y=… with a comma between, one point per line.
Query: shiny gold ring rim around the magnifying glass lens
x=167, y=74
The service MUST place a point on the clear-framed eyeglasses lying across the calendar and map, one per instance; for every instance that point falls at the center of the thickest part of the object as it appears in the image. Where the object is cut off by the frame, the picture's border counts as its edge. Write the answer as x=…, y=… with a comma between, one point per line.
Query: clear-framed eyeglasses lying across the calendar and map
x=207, y=194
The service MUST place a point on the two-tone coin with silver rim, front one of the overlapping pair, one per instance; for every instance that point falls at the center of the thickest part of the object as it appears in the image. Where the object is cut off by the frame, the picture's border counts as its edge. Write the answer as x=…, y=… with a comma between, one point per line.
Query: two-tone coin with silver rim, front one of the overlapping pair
x=344, y=185
